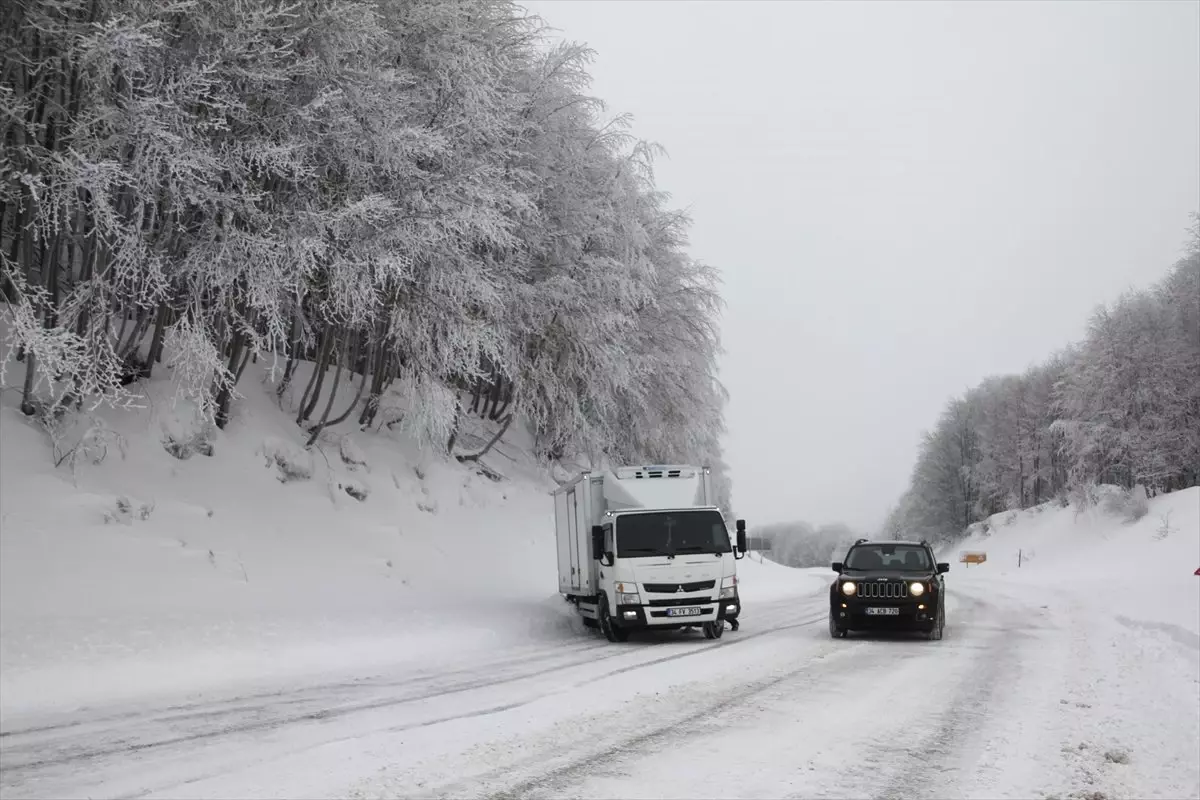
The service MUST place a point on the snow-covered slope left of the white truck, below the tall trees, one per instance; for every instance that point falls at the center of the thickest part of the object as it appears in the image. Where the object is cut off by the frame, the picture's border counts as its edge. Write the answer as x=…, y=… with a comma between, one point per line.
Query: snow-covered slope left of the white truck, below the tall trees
x=151, y=575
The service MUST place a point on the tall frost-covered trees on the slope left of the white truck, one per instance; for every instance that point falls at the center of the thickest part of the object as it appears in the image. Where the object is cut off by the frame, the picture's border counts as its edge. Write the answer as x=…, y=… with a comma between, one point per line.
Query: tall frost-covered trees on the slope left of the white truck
x=418, y=193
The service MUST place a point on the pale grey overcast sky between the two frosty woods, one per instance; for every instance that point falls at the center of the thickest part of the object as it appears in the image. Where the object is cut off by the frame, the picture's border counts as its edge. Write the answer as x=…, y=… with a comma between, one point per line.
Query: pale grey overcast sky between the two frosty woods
x=903, y=199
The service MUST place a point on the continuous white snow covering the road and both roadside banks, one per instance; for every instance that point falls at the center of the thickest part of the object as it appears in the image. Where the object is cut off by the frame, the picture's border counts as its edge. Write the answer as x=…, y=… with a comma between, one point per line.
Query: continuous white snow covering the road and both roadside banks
x=202, y=628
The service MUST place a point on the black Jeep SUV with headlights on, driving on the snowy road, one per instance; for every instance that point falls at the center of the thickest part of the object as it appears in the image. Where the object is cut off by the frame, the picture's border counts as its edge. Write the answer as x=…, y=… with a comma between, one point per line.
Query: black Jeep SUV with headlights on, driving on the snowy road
x=889, y=586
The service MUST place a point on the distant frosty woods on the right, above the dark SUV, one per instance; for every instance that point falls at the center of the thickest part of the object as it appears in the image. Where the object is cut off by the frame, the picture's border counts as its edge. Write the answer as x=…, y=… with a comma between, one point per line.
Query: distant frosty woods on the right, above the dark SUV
x=1120, y=408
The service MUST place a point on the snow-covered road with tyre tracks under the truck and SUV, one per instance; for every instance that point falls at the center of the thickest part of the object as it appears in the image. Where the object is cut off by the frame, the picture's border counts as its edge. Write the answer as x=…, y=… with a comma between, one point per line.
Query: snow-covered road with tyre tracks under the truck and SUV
x=1024, y=697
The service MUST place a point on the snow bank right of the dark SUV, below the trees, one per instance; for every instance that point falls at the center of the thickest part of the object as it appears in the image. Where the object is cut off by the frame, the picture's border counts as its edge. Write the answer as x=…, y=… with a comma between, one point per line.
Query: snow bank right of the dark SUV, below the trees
x=1133, y=560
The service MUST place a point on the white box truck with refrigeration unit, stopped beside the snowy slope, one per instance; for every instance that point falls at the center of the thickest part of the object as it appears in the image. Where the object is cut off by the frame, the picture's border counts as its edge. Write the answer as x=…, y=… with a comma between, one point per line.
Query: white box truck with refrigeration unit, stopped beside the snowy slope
x=647, y=548
